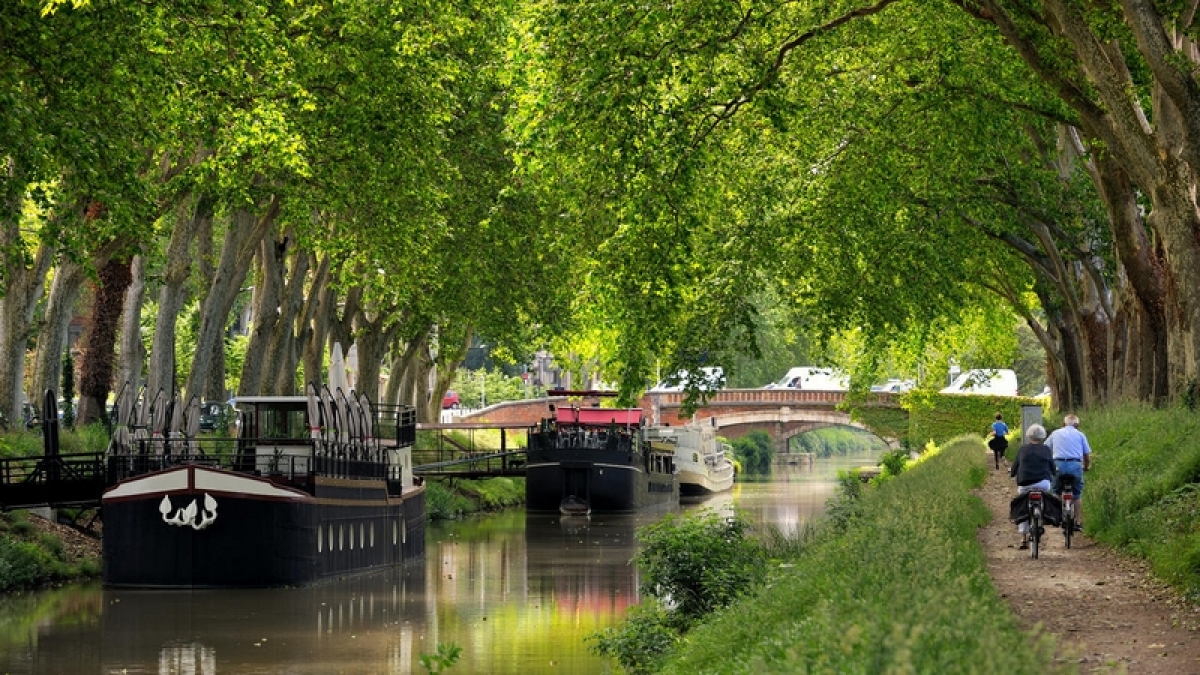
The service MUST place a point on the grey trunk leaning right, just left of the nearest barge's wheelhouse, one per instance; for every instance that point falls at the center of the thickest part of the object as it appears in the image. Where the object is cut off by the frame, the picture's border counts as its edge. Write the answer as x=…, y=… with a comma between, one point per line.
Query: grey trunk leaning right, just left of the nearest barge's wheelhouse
x=244, y=234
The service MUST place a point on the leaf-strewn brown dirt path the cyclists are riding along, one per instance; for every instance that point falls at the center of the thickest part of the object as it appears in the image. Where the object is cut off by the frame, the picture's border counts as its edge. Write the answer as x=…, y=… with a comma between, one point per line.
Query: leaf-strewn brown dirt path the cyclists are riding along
x=1106, y=611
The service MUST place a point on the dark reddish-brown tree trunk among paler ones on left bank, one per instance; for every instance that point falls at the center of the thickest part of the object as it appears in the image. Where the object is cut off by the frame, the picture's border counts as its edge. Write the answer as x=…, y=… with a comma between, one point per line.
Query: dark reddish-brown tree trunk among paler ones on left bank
x=97, y=377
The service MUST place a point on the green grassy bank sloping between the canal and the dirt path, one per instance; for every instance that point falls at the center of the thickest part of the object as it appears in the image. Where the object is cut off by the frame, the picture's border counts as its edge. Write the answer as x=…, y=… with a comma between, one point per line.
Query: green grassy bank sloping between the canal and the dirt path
x=896, y=584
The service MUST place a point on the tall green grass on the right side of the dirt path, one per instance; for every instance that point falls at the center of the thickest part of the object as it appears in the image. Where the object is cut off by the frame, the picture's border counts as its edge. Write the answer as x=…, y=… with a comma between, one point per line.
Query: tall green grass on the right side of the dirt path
x=1143, y=492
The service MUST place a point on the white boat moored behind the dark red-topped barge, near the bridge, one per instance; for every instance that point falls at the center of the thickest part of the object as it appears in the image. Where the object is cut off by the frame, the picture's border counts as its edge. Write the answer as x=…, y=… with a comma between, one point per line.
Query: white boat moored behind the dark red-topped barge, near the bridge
x=700, y=457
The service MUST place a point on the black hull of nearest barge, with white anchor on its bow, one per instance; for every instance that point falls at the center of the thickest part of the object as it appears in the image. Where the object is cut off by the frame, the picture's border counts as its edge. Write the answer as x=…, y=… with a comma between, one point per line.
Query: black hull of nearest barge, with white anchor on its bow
x=196, y=527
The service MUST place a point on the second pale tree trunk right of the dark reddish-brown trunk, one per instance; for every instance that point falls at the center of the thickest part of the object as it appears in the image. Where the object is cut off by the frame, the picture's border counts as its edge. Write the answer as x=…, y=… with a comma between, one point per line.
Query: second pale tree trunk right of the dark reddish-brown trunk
x=173, y=295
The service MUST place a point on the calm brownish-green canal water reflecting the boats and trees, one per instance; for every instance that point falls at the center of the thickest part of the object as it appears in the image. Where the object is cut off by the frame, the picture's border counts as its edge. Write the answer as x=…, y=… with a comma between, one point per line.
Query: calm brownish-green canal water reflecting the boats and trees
x=517, y=593
